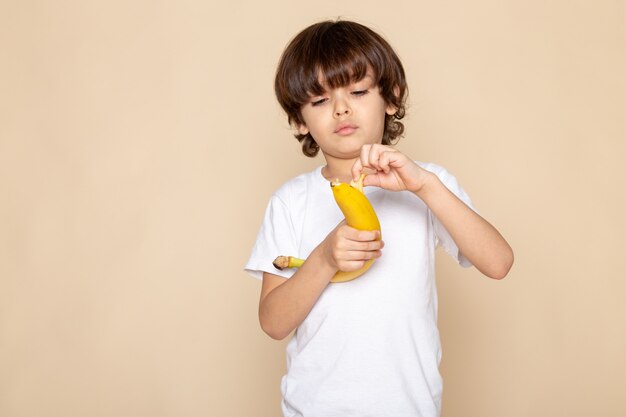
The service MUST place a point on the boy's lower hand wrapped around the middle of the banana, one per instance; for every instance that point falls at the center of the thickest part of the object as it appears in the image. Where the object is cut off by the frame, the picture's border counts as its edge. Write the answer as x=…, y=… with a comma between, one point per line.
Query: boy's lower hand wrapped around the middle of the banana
x=347, y=249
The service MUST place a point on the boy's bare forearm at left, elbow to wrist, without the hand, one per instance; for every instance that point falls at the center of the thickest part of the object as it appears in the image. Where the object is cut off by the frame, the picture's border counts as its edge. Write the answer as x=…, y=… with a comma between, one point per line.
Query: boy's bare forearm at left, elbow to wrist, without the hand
x=288, y=304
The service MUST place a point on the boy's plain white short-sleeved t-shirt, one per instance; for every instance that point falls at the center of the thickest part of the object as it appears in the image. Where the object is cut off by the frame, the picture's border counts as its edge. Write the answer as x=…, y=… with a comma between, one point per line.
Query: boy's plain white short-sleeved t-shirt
x=369, y=347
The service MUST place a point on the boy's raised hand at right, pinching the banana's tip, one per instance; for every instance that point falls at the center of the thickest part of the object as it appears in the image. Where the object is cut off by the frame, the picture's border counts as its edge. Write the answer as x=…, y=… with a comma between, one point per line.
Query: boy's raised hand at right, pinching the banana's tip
x=394, y=171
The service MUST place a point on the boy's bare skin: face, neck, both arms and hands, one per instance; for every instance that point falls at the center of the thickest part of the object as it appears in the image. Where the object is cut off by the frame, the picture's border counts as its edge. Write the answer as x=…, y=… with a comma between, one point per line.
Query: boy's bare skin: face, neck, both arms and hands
x=285, y=303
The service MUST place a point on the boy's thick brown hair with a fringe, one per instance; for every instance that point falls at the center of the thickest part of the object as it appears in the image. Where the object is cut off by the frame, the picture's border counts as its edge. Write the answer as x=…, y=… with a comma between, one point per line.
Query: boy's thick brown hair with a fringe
x=342, y=52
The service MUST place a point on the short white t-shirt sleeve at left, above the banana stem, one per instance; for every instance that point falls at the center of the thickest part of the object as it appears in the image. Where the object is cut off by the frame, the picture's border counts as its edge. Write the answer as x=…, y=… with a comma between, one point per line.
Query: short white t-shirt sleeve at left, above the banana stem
x=276, y=237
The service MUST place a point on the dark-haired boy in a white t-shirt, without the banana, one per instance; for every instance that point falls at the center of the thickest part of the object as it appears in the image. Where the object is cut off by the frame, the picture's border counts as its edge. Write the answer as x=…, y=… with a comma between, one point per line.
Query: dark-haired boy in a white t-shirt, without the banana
x=367, y=347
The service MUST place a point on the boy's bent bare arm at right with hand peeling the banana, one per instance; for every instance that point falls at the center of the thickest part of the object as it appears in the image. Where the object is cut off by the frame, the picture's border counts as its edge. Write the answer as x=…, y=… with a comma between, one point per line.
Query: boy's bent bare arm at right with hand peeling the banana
x=476, y=239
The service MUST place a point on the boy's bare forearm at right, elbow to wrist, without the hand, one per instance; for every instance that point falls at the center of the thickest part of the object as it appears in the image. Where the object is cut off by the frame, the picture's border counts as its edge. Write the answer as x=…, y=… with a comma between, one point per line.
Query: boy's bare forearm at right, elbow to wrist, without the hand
x=476, y=238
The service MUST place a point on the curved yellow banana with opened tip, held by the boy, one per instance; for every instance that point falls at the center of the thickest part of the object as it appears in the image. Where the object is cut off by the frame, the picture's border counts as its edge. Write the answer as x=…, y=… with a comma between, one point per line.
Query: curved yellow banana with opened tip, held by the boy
x=359, y=214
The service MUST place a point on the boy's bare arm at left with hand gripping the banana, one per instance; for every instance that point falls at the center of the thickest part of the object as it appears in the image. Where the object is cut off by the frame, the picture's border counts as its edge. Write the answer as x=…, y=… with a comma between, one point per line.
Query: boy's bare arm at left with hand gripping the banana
x=285, y=303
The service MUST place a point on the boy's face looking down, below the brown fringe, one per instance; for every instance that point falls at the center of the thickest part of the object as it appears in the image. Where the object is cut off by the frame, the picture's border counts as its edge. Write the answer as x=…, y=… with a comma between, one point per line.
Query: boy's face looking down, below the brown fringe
x=344, y=119
